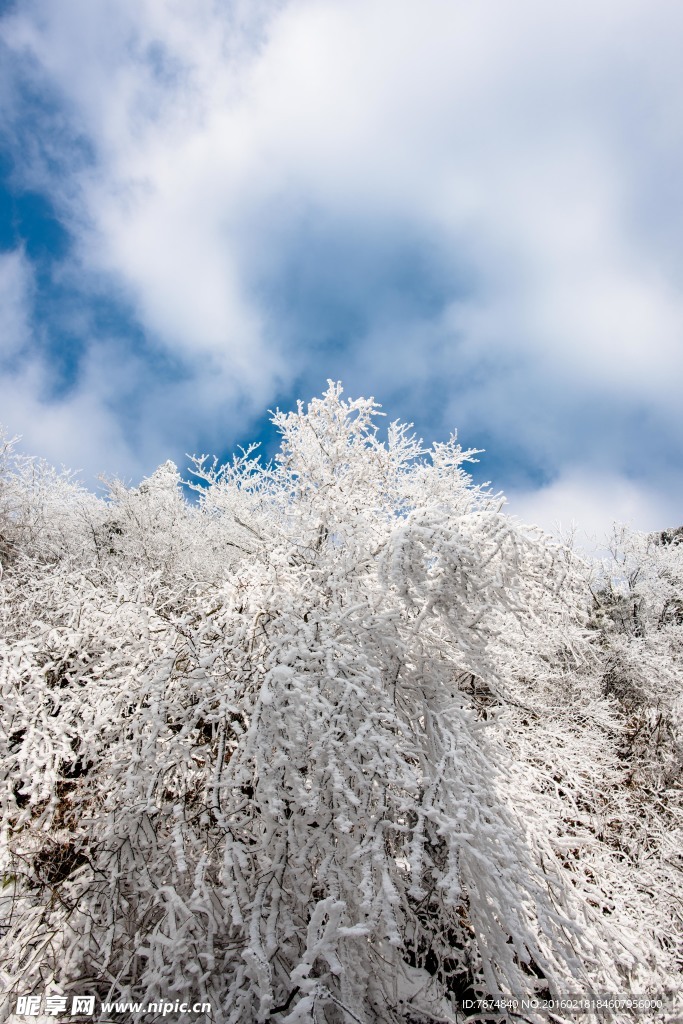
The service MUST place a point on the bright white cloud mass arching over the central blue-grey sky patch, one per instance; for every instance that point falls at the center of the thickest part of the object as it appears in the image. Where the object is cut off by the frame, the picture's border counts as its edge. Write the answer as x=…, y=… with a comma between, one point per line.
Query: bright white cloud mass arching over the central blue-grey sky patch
x=495, y=126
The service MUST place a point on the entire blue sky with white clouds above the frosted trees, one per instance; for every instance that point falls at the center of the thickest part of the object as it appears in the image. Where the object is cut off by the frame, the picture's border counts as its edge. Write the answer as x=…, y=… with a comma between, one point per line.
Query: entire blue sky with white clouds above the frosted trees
x=471, y=210
